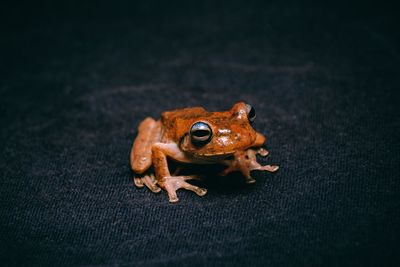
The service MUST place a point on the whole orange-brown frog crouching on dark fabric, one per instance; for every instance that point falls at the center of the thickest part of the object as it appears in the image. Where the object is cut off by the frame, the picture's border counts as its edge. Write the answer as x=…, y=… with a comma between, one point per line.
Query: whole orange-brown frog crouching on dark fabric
x=196, y=136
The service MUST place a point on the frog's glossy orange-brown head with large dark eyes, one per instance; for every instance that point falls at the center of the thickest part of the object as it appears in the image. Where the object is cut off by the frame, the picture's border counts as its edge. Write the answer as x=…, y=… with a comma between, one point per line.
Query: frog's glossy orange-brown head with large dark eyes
x=218, y=135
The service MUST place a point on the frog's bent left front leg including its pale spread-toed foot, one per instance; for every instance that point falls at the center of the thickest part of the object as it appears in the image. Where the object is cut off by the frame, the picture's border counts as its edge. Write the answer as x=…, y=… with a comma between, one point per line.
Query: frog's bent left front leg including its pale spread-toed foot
x=165, y=180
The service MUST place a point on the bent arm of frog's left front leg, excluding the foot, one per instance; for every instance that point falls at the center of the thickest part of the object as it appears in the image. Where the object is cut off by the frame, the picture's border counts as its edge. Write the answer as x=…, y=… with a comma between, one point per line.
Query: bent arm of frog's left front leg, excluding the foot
x=160, y=152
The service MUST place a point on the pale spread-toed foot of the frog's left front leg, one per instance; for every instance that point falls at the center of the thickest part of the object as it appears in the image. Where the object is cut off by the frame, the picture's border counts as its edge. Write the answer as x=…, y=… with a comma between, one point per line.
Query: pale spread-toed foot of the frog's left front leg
x=172, y=183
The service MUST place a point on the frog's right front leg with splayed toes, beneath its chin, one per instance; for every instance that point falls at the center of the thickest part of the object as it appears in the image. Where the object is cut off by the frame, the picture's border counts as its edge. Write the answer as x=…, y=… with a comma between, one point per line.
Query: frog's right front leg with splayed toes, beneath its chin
x=246, y=161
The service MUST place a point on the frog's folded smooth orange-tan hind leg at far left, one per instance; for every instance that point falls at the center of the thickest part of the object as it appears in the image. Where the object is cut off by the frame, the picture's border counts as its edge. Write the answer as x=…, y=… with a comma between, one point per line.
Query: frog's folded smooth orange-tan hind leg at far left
x=149, y=133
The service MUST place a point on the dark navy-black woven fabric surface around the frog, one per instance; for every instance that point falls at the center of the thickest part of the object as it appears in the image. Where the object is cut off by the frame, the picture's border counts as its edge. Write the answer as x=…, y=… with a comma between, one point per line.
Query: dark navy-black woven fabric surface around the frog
x=76, y=79
